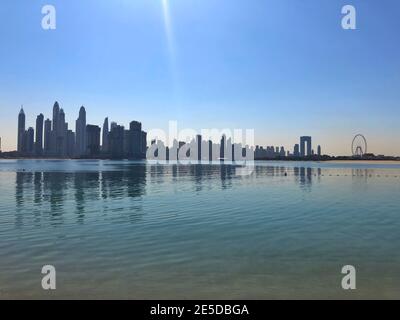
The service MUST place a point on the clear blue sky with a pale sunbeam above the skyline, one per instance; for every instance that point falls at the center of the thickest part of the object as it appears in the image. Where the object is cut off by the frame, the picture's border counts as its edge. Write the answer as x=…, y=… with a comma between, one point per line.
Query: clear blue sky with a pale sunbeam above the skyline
x=282, y=67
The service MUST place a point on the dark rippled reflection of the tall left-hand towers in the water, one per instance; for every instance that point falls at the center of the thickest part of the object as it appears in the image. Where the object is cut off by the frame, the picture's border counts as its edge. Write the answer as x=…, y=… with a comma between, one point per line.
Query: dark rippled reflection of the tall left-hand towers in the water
x=57, y=189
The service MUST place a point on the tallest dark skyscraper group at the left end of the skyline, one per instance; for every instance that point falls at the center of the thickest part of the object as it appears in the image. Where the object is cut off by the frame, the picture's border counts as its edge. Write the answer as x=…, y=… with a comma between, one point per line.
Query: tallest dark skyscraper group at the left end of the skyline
x=53, y=138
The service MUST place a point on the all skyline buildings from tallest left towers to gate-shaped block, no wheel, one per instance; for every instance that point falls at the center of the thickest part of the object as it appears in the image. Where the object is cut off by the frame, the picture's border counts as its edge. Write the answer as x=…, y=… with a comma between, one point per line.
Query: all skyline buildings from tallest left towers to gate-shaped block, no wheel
x=53, y=138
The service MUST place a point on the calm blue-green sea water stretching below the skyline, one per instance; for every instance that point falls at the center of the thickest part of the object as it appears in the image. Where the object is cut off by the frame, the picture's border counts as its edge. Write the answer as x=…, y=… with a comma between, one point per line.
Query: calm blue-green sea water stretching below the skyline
x=120, y=229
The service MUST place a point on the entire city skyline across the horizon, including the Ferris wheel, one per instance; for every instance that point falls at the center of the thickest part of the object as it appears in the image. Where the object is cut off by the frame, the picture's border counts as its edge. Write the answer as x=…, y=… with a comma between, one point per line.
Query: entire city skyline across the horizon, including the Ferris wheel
x=54, y=138
